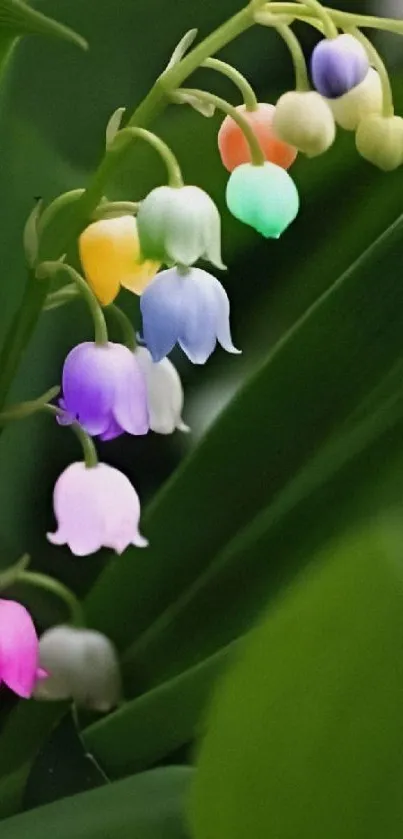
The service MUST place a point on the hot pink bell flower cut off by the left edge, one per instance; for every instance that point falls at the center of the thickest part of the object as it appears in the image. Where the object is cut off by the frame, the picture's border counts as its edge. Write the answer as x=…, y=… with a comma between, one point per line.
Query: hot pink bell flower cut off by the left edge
x=18, y=649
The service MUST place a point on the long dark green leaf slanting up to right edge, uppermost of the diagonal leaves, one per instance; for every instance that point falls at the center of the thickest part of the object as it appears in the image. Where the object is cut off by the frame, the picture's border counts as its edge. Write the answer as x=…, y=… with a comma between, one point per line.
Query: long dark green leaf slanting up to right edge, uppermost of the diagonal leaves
x=342, y=348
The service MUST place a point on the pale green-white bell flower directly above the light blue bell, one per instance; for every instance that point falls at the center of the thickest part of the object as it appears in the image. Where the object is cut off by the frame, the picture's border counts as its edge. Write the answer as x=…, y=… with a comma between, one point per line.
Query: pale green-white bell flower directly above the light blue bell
x=180, y=225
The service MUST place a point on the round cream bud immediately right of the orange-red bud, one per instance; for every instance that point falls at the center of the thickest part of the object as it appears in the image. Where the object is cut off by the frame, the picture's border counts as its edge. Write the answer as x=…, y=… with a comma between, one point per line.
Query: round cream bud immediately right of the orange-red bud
x=306, y=121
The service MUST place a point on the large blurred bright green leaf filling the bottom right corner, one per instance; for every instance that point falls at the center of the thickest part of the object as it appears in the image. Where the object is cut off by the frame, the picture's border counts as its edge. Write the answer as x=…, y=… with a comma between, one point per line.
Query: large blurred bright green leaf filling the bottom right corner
x=305, y=734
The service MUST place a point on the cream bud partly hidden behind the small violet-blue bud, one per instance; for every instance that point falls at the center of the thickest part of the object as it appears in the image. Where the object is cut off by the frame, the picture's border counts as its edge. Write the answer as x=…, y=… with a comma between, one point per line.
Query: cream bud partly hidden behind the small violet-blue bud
x=361, y=101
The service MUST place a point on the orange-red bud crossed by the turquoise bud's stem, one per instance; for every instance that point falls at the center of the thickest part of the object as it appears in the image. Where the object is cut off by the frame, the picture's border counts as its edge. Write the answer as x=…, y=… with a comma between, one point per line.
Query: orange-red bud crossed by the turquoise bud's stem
x=234, y=149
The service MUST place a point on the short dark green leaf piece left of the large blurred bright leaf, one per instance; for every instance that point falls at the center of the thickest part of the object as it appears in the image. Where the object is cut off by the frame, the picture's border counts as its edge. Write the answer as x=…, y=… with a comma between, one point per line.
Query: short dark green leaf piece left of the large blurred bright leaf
x=155, y=725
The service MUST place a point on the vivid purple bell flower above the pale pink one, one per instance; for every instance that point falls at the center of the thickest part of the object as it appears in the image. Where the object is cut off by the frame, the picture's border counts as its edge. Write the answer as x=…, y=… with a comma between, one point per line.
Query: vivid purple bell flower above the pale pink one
x=104, y=390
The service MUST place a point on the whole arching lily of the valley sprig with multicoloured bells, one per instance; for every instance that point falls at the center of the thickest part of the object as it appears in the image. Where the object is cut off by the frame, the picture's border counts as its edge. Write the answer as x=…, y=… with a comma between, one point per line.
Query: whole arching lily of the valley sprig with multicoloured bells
x=162, y=248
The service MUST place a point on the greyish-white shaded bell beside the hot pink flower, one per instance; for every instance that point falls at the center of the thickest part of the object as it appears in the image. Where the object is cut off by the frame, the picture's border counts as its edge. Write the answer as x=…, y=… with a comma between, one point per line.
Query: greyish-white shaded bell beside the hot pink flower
x=82, y=665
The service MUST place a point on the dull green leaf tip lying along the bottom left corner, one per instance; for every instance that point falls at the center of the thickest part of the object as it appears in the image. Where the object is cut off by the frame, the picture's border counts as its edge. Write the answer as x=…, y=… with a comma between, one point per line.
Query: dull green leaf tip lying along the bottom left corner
x=147, y=806
